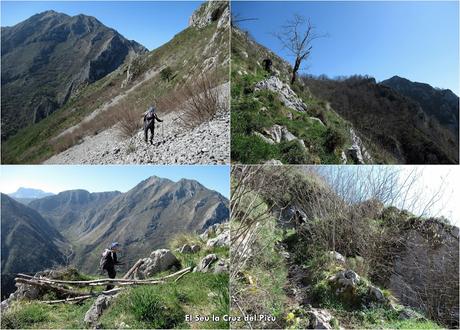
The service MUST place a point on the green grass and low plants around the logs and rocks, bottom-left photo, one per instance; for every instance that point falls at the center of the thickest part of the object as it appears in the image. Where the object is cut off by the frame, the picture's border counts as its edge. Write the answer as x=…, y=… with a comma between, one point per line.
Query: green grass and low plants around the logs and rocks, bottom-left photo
x=158, y=306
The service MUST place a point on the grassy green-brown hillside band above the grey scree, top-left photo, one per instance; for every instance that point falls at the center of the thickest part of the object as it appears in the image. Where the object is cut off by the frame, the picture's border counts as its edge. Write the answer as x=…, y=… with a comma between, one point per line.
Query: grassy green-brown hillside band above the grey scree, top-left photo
x=185, y=55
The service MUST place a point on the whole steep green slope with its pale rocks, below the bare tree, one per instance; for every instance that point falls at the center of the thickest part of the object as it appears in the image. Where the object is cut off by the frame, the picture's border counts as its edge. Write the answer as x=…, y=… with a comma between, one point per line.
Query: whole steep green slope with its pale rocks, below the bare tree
x=275, y=121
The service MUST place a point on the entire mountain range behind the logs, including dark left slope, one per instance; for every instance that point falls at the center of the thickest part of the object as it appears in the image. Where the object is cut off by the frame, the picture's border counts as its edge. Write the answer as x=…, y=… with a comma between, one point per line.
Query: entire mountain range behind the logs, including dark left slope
x=77, y=225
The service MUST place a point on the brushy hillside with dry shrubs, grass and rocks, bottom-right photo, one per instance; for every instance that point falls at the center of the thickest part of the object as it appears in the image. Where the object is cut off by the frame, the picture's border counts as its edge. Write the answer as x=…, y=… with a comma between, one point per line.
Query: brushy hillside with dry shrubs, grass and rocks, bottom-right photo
x=308, y=258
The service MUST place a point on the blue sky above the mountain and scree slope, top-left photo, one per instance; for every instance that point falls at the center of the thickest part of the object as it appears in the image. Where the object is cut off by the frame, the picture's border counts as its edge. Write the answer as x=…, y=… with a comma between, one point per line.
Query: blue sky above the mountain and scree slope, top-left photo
x=151, y=23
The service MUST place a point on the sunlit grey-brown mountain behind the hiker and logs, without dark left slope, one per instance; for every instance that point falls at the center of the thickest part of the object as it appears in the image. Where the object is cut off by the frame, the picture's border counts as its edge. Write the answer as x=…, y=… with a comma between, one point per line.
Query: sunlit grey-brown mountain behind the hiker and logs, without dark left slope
x=142, y=219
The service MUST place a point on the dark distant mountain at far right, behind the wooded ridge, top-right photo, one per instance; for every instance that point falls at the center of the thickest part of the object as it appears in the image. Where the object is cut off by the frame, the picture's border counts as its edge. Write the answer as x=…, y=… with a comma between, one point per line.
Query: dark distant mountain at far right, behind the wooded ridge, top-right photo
x=441, y=104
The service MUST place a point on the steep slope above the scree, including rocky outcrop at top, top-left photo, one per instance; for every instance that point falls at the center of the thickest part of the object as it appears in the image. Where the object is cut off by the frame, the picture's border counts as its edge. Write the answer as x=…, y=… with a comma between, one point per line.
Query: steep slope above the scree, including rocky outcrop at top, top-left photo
x=200, y=49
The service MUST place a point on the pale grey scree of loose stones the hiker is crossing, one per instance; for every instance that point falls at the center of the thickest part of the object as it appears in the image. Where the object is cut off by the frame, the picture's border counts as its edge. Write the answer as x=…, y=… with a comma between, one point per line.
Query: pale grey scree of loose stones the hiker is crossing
x=208, y=143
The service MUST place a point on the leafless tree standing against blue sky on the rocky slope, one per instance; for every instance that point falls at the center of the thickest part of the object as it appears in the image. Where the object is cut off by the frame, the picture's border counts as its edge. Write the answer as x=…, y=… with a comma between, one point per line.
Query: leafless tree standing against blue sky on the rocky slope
x=297, y=37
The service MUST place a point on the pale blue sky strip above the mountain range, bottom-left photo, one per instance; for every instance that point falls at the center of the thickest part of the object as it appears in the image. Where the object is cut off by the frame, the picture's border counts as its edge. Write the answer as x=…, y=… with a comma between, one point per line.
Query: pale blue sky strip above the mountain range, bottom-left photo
x=97, y=178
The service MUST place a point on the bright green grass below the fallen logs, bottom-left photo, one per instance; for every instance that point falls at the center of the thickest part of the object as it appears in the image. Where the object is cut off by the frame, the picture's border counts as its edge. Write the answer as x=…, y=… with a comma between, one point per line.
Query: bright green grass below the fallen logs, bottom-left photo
x=154, y=306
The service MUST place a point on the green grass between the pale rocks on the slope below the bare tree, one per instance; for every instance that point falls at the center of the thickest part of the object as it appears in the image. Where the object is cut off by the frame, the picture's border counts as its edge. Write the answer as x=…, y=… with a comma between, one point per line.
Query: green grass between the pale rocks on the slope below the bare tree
x=254, y=111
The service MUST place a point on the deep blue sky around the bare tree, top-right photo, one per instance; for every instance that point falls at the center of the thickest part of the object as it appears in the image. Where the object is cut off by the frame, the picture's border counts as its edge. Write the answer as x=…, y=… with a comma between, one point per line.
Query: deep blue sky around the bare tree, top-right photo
x=418, y=40
